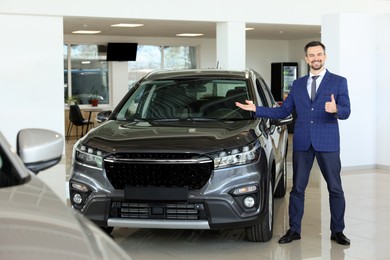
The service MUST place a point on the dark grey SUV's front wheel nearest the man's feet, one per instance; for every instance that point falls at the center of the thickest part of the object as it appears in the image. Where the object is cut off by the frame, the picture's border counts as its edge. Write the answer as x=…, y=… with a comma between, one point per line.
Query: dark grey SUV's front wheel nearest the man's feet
x=263, y=231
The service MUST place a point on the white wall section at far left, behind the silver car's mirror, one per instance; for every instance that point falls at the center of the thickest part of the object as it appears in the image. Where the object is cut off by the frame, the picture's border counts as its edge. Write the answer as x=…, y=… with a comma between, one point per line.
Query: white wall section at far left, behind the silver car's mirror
x=31, y=74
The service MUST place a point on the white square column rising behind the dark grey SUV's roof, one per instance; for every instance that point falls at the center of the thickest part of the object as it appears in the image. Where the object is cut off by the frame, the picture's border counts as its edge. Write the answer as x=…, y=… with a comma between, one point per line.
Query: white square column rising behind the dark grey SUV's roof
x=231, y=45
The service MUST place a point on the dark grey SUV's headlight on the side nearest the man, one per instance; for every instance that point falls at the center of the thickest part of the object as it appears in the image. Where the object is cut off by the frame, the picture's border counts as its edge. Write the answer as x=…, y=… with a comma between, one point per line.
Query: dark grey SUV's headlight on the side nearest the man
x=237, y=156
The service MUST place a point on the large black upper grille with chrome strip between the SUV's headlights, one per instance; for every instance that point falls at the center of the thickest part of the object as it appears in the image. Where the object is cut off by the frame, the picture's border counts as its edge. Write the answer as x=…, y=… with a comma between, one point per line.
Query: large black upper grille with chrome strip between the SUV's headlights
x=158, y=170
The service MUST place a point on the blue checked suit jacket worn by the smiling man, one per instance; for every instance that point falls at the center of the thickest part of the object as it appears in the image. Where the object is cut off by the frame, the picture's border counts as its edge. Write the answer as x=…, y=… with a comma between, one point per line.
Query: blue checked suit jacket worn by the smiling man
x=313, y=125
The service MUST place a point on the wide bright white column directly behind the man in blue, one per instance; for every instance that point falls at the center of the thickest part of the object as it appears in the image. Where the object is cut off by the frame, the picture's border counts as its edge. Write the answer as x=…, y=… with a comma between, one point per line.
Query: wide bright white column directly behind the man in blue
x=351, y=46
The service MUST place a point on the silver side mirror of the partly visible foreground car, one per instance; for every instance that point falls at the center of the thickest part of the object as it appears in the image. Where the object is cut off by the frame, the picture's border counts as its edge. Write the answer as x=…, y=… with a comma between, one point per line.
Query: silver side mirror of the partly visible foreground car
x=39, y=149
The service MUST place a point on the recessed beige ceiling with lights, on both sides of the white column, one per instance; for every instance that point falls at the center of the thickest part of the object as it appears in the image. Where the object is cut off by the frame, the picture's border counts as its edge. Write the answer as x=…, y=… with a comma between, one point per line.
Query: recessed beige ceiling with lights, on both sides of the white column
x=165, y=28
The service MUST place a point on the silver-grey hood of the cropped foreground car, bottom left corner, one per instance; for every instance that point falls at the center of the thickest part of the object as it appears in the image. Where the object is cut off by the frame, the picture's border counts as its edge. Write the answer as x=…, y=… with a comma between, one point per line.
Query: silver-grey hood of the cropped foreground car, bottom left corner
x=36, y=224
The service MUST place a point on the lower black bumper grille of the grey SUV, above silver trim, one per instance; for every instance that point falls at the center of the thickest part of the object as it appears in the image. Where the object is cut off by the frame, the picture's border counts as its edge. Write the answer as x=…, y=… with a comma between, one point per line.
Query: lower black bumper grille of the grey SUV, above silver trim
x=175, y=211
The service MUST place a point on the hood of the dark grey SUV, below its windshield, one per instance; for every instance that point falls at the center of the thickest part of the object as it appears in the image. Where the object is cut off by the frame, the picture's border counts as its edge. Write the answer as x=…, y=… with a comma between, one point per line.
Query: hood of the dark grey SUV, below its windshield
x=189, y=136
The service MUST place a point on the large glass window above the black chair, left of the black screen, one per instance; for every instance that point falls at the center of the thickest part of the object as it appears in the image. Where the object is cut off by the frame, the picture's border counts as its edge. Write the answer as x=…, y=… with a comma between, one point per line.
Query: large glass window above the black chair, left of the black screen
x=86, y=74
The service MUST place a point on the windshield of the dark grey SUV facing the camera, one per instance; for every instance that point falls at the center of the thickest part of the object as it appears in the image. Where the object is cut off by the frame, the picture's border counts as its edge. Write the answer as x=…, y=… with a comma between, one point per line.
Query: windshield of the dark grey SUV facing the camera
x=187, y=99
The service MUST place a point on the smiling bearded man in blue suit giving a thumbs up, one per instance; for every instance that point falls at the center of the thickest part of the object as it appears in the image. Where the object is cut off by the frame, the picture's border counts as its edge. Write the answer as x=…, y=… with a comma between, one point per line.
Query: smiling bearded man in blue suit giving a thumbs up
x=316, y=135
